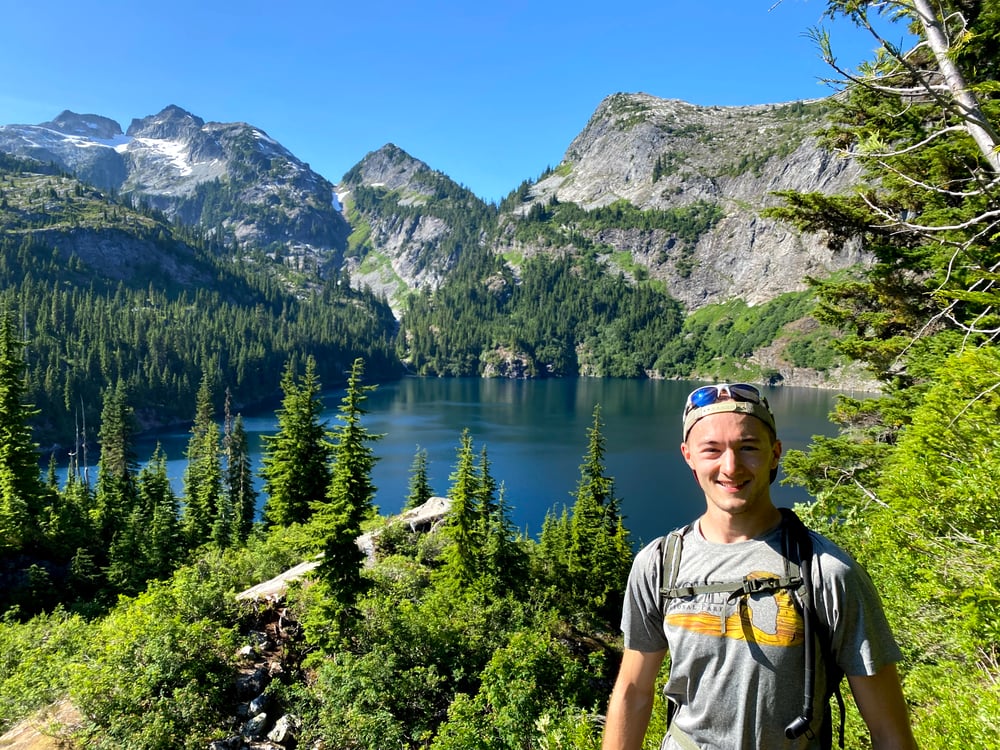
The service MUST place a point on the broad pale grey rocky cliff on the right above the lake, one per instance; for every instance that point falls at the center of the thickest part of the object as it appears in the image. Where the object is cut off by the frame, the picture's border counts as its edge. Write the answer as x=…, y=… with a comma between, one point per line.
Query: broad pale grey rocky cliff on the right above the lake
x=663, y=154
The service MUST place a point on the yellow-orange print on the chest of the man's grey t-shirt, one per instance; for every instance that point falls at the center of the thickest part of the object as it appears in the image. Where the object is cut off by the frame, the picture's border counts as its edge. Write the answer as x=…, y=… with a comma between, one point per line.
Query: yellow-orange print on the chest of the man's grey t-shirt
x=784, y=628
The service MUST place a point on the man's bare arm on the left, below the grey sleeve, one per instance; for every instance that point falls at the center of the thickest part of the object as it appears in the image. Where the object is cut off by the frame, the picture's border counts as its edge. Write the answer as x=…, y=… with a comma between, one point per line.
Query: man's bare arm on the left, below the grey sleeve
x=632, y=700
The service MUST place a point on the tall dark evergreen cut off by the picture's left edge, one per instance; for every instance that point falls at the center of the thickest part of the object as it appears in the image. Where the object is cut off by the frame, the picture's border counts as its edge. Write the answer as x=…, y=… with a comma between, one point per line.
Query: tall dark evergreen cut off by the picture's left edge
x=22, y=493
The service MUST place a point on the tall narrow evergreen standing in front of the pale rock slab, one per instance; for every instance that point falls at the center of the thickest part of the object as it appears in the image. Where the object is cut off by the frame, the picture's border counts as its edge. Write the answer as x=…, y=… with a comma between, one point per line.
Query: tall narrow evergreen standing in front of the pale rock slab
x=349, y=499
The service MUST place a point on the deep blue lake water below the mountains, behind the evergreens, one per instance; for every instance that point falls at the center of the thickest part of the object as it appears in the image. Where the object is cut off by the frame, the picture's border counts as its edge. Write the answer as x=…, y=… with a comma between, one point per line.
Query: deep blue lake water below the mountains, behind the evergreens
x=535, y=434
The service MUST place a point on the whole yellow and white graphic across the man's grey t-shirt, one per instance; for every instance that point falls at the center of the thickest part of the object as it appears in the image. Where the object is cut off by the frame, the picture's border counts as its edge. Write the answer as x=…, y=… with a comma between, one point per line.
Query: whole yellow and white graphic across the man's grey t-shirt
x=768, y=619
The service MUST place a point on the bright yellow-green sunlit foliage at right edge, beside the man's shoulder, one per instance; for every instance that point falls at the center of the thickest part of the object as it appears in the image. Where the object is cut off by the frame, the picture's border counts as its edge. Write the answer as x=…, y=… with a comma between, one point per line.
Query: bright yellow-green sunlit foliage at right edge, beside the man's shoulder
x=942, y=511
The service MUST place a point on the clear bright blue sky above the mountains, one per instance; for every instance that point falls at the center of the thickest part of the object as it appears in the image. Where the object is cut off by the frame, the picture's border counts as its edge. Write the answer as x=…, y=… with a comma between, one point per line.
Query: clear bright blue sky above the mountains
x=488, y=93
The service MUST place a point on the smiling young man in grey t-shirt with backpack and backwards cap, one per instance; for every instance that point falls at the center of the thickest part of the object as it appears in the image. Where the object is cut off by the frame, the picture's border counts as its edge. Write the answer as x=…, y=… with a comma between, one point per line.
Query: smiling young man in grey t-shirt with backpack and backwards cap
x=738, y=673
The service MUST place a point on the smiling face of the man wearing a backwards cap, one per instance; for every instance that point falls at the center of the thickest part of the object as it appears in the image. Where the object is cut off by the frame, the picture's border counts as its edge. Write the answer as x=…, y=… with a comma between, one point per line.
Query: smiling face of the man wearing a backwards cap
x=732, y=456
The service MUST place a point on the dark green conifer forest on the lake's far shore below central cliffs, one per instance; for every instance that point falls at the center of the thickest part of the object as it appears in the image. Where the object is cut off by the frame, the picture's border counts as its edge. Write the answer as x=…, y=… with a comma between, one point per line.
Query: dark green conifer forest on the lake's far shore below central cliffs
x=563, y=307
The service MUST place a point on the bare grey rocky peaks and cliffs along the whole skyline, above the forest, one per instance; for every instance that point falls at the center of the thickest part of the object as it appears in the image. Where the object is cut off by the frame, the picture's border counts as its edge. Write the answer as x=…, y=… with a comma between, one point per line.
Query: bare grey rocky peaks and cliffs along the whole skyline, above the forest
x=410, y=224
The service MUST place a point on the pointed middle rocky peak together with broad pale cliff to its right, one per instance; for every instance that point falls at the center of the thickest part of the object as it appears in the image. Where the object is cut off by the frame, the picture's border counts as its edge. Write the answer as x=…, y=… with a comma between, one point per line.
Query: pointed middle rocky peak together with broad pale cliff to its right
x=655, y=154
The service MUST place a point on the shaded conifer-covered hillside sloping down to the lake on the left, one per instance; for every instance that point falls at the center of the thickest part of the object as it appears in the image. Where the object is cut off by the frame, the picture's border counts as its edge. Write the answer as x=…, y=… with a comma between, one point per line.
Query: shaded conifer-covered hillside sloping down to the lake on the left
x=111, y=295
